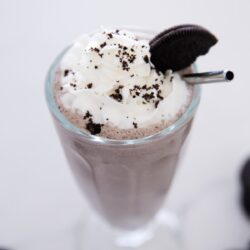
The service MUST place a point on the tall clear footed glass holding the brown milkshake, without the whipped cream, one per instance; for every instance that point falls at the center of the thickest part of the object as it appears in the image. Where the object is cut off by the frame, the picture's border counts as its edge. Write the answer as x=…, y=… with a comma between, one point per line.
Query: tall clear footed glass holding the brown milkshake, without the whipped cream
x=125, y=181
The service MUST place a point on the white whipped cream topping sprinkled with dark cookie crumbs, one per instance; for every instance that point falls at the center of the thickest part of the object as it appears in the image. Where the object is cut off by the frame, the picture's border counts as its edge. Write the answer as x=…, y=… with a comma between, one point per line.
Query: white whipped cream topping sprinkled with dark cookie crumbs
x=109, y=77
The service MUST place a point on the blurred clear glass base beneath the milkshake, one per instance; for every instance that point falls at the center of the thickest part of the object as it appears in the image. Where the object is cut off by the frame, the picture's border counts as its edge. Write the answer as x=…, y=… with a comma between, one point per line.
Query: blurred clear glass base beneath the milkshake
x=162, y=233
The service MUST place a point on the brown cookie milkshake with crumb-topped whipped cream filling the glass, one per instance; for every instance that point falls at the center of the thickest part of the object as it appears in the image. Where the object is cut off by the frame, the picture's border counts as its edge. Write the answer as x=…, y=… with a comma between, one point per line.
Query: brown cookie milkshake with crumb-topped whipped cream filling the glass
x=122, y=123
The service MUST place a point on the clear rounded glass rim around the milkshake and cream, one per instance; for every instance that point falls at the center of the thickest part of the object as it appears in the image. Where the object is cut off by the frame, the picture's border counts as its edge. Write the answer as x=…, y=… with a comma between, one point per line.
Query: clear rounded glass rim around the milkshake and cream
x=53, y=107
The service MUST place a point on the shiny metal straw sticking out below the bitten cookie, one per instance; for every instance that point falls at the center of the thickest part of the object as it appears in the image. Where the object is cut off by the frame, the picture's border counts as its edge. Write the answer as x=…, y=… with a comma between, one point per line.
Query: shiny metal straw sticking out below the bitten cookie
x=209, y=77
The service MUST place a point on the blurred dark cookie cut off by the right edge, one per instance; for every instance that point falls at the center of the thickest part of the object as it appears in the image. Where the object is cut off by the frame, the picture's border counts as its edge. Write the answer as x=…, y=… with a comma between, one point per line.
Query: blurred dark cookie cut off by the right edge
x=245, y=183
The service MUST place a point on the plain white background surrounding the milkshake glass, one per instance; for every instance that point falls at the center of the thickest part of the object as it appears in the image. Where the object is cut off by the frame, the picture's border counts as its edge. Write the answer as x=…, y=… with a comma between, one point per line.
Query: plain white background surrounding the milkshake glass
x=38, y=196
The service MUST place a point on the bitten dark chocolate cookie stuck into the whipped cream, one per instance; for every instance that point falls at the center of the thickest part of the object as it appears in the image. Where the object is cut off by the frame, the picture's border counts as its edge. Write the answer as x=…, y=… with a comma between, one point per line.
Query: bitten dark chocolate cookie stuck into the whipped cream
x=178, y=47
